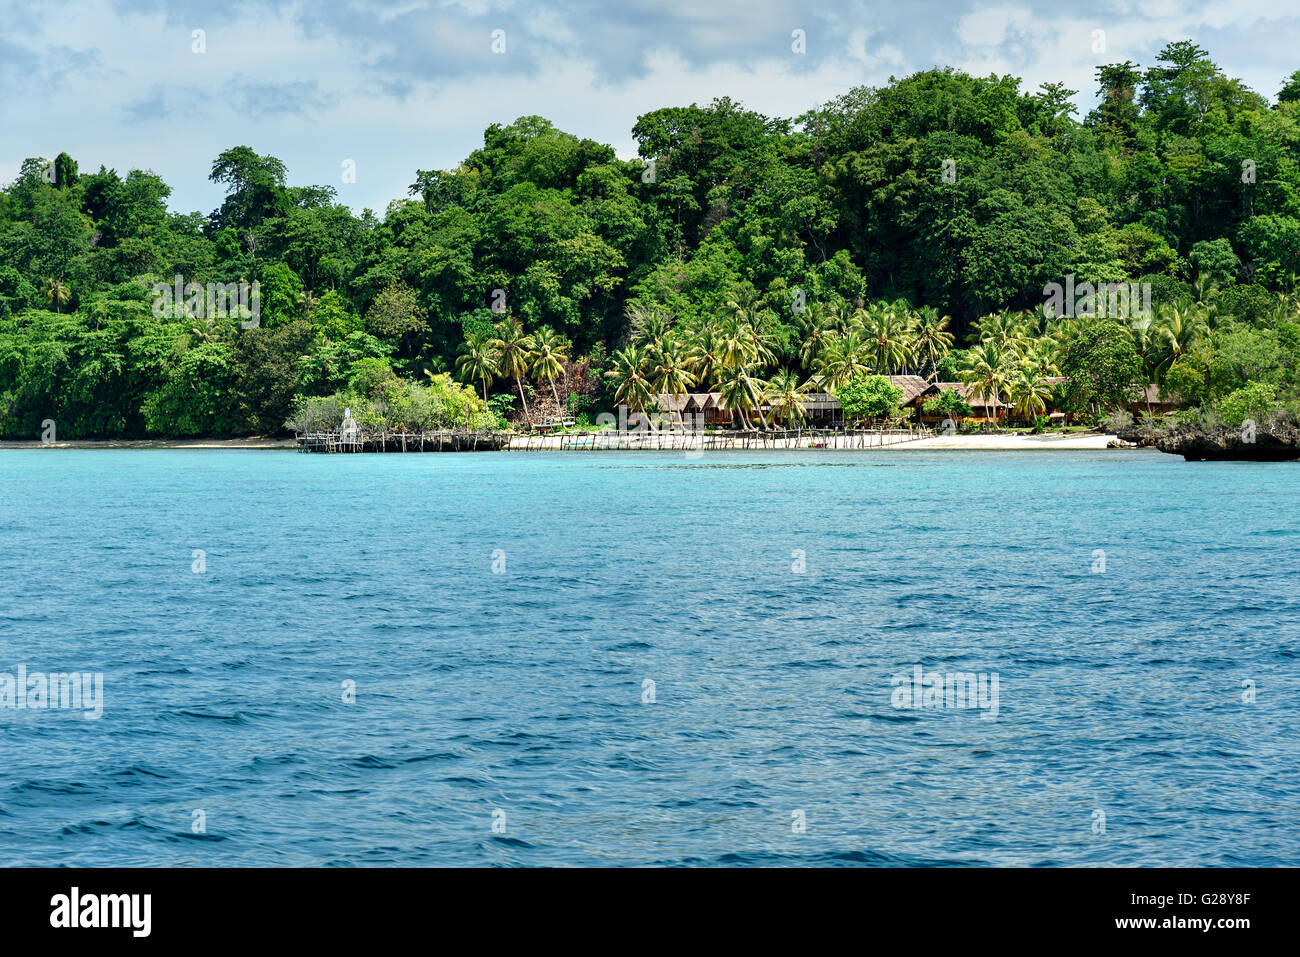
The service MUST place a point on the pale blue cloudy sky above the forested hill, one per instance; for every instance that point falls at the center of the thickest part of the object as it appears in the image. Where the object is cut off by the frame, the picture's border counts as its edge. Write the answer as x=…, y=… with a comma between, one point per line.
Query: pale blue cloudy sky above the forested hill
x=385, y=88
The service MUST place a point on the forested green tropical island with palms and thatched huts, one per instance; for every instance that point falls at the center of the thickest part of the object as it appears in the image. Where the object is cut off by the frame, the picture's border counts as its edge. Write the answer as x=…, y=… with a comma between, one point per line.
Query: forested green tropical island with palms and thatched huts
x=944, y=249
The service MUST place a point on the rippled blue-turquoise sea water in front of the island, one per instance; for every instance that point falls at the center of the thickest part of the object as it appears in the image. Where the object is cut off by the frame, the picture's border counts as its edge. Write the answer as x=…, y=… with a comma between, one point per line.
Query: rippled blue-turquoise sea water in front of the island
x=501, y=618
